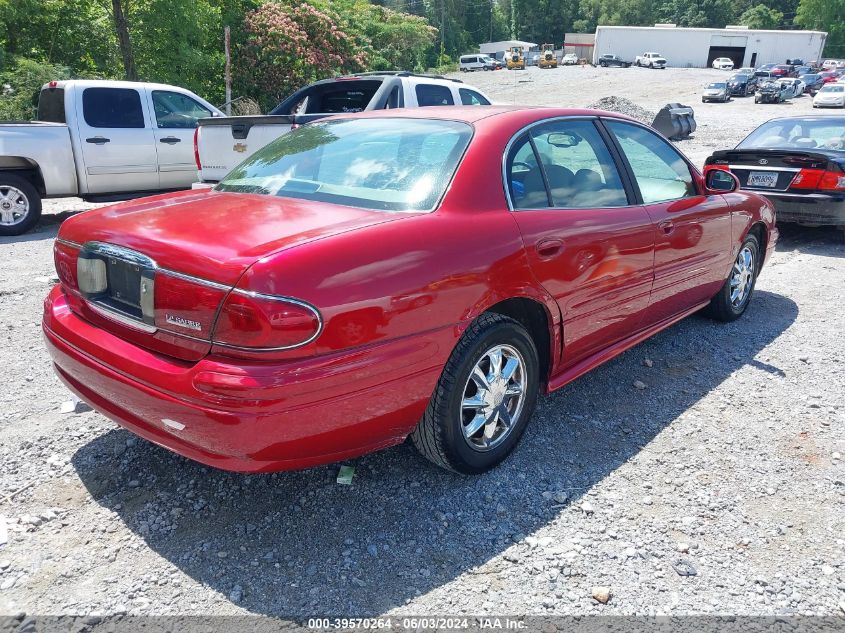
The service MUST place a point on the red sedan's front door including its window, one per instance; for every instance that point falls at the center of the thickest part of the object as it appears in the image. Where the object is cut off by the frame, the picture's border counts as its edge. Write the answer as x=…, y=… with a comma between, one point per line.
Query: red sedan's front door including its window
x=692, y=229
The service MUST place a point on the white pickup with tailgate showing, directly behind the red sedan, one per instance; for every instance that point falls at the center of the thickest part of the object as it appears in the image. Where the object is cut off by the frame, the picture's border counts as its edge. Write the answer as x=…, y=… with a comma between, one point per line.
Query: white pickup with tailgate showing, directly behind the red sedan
x=223, y=143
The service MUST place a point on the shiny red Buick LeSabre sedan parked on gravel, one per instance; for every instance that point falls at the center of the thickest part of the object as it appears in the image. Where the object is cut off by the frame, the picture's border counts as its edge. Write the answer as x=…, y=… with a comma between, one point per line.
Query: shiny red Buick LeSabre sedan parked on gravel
x=370, y=277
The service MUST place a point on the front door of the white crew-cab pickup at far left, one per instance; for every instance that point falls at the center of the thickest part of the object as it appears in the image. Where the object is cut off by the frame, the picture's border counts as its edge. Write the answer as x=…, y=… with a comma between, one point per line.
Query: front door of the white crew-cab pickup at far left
x=176, y=117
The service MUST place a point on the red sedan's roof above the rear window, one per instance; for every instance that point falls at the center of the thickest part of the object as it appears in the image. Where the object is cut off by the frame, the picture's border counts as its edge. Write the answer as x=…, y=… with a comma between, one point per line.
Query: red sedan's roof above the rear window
x=471, y=114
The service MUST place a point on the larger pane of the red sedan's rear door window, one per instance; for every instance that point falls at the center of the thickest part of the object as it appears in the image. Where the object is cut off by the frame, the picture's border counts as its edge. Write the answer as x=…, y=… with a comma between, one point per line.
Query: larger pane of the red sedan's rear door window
x=579, y=168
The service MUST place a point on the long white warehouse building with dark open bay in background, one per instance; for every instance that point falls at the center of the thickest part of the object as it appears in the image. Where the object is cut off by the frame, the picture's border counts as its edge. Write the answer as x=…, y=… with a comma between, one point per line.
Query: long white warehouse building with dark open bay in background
x=697, y=48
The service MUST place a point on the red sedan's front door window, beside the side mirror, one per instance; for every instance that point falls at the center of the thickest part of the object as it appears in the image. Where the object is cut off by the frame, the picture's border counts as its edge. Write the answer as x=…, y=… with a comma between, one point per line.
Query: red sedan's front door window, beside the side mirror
x=660, y=171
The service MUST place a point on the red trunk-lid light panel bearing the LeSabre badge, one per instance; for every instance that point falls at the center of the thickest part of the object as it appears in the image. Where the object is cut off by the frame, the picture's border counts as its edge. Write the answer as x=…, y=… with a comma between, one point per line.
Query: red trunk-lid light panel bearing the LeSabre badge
x=186, y=307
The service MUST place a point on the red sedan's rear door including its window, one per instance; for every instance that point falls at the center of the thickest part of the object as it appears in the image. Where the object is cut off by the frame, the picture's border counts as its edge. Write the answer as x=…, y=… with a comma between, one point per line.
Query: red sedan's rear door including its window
x=587, y=244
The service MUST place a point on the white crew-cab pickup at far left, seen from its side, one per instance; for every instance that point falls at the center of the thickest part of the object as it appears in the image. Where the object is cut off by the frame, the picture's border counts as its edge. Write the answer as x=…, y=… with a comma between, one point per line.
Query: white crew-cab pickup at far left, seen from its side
x=100, y=140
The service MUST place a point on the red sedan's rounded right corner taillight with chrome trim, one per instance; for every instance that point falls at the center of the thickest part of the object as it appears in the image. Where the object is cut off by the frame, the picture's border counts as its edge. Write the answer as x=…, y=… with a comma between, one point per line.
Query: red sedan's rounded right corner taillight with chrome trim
x=252, y=322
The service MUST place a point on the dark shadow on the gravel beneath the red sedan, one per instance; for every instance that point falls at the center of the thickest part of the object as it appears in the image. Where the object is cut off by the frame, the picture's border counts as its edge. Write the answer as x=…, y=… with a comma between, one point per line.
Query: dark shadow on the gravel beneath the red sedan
x=298, y=544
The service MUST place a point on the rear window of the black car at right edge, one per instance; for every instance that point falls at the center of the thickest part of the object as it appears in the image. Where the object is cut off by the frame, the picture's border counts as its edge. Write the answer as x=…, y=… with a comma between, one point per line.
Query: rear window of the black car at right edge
x=827, y=133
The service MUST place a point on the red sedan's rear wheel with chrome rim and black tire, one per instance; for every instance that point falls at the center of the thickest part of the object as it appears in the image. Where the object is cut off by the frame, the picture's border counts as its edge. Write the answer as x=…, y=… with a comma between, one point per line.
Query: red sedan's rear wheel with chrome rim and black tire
x=484, y=398
